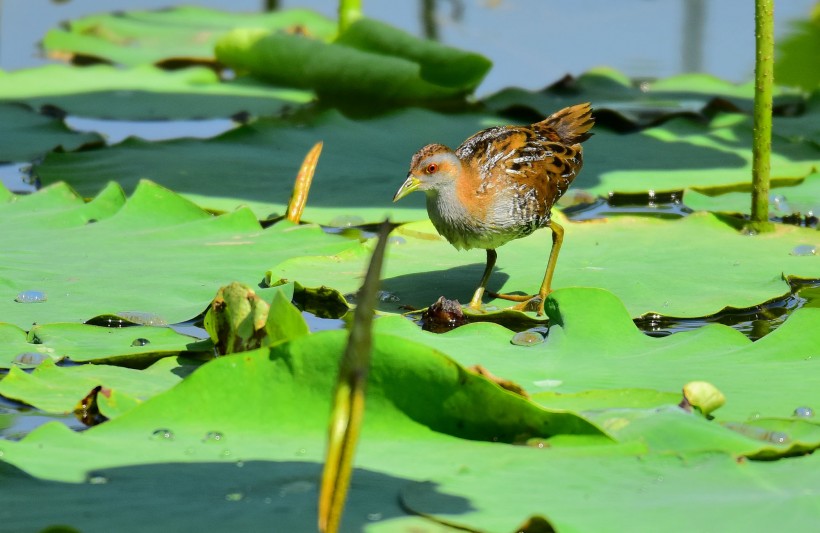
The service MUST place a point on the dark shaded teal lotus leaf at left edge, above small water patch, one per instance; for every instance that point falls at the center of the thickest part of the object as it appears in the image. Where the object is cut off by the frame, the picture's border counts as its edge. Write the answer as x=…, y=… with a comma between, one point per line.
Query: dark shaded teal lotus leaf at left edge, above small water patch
x=26, y=134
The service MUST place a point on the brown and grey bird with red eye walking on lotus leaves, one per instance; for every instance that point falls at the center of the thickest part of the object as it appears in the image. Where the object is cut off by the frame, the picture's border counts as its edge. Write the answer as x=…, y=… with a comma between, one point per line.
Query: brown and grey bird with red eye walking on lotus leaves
x=501, y=185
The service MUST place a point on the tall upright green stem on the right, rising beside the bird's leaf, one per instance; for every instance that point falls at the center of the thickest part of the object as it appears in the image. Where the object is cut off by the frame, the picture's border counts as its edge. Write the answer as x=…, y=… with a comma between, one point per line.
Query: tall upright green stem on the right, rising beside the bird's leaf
x=762, y=136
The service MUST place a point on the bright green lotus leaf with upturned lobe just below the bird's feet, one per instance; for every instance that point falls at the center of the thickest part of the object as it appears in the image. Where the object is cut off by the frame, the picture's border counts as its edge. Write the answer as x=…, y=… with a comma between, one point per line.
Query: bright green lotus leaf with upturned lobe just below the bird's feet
x=595, y=345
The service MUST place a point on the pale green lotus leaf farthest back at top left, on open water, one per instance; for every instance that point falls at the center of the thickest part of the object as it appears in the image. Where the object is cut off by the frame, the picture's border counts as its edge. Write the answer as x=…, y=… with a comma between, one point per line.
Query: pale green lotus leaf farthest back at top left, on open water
x=186, y=33
